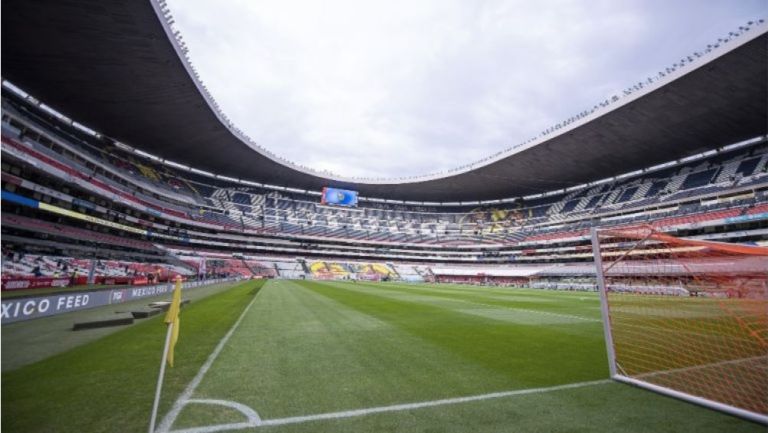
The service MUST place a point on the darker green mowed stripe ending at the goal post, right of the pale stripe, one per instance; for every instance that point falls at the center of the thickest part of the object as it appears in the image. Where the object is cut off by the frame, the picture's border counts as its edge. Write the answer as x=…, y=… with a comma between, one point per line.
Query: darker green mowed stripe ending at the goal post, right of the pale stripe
x=507, y=348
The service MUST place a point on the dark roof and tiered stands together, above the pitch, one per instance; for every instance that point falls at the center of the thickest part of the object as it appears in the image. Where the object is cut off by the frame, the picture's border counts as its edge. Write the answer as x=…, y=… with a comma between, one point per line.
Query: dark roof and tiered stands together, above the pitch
x=122, y=170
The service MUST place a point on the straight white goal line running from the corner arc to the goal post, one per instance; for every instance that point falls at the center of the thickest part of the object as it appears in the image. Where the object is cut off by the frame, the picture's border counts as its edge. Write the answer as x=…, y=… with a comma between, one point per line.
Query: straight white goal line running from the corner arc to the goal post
x=382, y=409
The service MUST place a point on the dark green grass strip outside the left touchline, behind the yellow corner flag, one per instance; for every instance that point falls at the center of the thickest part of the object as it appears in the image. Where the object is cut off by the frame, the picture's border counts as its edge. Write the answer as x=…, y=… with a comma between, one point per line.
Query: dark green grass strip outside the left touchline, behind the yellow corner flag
x=108, y=385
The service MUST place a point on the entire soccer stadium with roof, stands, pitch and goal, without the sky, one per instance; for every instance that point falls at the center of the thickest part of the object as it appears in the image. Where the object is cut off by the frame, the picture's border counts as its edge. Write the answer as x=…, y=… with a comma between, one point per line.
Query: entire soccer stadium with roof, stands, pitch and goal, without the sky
x=163, y=272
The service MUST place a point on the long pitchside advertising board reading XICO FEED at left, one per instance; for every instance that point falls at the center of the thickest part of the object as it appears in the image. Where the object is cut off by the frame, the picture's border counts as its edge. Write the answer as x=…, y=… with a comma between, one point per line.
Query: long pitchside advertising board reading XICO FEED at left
x=21, y=309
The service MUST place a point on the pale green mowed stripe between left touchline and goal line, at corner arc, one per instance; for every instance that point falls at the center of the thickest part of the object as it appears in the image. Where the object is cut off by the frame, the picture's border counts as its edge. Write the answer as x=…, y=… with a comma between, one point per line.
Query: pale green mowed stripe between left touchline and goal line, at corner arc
x=298, y=352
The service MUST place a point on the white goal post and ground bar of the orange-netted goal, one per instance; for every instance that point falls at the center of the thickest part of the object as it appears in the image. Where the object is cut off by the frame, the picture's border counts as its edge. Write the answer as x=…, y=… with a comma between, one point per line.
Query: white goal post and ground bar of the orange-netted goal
x=616, y=375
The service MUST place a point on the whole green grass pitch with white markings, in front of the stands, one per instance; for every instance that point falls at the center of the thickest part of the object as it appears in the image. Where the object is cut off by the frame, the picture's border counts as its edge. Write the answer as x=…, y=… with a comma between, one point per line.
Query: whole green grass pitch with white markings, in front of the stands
x=355, y=357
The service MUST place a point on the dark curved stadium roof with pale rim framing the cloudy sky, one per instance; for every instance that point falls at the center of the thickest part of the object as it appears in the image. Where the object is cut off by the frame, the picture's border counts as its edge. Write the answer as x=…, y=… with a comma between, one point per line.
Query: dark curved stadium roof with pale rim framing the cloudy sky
x=112, y=66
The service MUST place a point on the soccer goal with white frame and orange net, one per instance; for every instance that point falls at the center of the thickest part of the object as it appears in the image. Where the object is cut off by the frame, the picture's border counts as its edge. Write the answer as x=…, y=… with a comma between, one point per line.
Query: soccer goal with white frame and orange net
x=686, y=318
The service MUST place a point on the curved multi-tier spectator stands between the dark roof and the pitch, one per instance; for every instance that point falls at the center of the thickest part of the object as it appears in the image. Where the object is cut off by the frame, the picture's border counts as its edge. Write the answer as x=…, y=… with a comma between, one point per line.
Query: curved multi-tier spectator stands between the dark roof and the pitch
x=66, y=191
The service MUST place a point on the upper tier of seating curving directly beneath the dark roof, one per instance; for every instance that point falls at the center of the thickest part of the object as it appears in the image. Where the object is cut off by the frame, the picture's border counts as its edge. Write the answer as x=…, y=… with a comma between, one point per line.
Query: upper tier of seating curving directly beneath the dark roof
x=176, y=197
